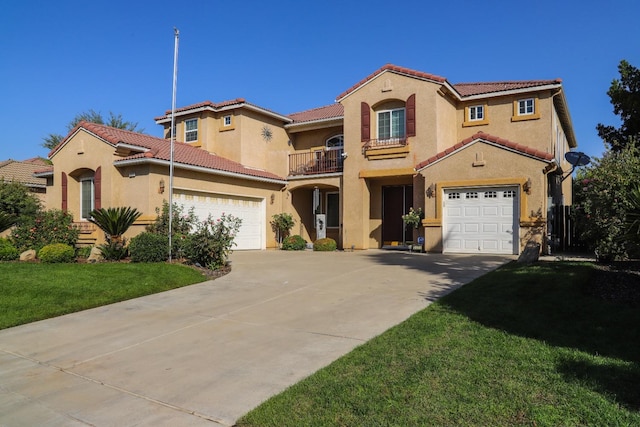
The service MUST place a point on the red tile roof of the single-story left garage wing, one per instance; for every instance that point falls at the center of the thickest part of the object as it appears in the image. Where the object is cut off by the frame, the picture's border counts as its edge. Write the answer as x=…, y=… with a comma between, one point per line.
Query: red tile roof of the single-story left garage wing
x=160, y=149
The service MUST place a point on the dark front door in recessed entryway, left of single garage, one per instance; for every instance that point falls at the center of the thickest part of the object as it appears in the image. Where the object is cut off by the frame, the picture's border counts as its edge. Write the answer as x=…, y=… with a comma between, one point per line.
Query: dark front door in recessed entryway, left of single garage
x=396, y=201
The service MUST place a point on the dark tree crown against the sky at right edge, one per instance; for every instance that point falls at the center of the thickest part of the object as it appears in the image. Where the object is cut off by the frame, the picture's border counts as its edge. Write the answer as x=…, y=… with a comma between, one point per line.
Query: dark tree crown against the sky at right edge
x=625, y=98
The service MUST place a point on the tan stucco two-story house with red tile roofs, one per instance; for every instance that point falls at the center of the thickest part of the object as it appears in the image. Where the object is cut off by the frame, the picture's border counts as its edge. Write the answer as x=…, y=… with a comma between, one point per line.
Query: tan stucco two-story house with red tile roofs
x=484, y=161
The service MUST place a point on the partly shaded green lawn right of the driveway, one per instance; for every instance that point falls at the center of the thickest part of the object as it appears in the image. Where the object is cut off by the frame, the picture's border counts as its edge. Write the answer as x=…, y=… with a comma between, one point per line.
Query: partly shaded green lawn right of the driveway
x=524, y=345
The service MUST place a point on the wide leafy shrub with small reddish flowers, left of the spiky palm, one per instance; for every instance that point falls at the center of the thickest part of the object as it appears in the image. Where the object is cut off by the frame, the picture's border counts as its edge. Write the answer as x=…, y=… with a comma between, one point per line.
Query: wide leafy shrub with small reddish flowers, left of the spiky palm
x=52, y=226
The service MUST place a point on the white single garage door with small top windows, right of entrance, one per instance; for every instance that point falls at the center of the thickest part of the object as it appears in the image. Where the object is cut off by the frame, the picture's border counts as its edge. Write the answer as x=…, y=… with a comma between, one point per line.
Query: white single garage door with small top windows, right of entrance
x=481, y=220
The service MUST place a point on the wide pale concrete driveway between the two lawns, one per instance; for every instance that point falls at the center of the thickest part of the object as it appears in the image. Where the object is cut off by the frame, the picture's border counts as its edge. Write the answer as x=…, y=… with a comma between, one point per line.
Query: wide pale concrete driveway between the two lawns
x=206, y=354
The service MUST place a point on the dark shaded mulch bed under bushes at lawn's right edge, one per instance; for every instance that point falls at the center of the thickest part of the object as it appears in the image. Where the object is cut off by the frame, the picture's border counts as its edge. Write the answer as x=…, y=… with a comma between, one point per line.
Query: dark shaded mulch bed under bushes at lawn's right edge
x=617, y=282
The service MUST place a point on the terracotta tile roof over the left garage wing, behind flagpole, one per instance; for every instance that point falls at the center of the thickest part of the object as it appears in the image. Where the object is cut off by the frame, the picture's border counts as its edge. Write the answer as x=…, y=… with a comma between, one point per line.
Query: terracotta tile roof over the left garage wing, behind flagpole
x=158, y=150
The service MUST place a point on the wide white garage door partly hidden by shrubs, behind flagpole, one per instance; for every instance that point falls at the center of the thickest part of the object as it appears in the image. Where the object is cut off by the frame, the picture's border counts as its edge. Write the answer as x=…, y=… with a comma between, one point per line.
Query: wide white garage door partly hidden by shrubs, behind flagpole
x=250, y=210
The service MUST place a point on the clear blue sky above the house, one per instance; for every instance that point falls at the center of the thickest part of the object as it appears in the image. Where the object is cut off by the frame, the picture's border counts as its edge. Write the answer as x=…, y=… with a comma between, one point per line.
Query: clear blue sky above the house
x=65, y=57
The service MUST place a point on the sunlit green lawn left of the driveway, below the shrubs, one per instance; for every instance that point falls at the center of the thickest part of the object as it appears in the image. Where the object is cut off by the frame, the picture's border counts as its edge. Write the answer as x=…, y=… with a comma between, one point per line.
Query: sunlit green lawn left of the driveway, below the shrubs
x=30, y=291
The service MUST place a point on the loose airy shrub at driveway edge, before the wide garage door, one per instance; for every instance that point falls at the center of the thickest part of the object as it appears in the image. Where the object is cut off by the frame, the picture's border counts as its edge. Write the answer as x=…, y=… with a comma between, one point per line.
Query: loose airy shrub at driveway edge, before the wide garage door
x=210, y=245
